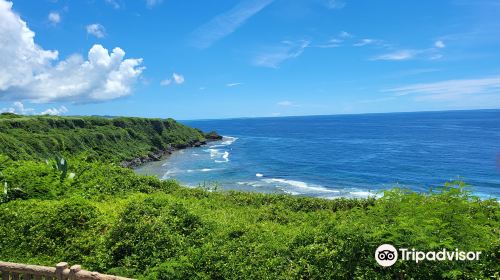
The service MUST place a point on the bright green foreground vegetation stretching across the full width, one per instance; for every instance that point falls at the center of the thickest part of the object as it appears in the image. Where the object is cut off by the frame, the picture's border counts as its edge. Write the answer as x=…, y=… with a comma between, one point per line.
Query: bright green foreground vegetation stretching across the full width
x=107, y=218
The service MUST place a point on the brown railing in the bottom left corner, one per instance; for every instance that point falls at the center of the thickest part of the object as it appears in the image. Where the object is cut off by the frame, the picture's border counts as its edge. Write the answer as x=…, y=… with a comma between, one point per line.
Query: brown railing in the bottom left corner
x=62, y=271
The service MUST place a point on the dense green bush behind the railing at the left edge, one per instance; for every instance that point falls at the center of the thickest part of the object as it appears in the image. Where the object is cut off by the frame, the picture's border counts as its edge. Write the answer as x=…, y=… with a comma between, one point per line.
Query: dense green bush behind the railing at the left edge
x=35, y=231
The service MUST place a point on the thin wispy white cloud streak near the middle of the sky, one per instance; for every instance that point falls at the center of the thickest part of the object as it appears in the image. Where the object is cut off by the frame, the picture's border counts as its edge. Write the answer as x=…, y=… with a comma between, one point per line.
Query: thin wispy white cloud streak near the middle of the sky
x=275, y=56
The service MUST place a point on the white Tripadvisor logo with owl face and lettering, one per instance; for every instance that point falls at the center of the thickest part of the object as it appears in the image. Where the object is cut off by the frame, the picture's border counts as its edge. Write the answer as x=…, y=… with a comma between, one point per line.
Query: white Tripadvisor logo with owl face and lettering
x=387, y=255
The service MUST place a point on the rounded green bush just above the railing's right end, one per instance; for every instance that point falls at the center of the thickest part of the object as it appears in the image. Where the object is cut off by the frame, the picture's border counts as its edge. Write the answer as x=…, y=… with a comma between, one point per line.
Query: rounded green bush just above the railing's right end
x=151, y=231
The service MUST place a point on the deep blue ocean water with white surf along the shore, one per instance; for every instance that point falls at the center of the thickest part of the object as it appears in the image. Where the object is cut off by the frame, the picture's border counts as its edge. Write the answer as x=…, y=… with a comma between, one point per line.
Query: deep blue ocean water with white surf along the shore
x=344, y=155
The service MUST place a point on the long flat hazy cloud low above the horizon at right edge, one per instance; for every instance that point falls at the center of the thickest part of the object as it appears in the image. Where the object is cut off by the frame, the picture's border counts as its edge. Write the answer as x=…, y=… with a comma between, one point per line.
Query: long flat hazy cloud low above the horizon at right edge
x=453, y=89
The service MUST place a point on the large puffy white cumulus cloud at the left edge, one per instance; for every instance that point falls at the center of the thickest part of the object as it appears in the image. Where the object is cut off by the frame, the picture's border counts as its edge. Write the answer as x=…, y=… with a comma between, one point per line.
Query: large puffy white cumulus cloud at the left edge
x=28, y=72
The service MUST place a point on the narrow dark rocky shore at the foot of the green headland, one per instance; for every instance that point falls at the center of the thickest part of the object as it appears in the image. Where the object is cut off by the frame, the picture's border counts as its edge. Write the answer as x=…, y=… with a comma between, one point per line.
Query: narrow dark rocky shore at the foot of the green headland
x=161, y=154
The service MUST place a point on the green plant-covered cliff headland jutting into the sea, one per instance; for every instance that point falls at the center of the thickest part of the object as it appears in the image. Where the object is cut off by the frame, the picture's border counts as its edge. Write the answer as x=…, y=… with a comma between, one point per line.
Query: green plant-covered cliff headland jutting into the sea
x=129, y=141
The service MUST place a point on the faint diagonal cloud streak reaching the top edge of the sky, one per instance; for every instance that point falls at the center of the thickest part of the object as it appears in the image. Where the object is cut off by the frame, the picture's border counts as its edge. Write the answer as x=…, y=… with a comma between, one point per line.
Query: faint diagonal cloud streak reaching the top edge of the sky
x=226, y=23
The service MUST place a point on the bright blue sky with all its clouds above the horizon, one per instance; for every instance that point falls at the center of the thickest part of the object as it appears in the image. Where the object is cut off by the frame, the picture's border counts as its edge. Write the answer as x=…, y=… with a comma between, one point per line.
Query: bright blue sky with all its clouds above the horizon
x=242, y=58
